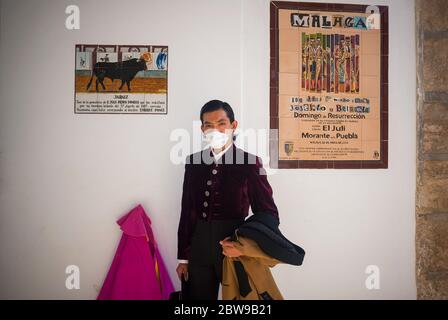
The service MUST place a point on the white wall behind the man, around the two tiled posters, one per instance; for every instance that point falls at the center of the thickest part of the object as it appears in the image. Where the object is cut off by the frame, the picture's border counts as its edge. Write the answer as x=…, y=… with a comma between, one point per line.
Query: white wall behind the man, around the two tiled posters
x=66, y=178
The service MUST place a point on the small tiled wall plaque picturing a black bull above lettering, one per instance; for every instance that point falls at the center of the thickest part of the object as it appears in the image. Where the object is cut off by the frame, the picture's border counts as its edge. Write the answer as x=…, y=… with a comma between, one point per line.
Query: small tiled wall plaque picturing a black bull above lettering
x=121, y=79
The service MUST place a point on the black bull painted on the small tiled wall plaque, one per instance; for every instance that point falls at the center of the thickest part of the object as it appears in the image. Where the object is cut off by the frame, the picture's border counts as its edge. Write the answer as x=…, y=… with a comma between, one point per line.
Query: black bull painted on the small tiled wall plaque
x=123, y=70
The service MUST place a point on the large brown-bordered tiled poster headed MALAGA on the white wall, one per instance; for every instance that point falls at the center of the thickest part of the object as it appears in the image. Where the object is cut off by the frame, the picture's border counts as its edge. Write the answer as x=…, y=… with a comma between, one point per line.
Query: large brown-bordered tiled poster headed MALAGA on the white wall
x=329, y=85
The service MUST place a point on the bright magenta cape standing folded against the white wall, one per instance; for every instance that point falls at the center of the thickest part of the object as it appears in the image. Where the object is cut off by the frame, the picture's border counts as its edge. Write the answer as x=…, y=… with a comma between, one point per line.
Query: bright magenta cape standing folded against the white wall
x=137, y=271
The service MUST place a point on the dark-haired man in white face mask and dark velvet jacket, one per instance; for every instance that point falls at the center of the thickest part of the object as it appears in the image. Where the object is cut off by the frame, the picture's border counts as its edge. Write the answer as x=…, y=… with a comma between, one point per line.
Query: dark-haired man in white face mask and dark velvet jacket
x=220, y=183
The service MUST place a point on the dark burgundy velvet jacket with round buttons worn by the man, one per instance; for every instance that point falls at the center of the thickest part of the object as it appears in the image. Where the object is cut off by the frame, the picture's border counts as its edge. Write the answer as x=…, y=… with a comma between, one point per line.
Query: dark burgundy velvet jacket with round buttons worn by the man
x=221, y=190
